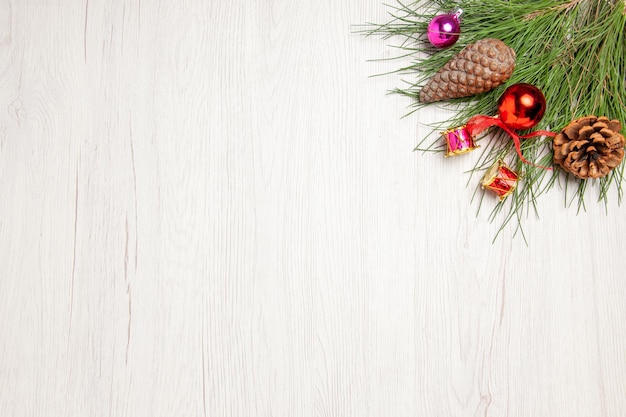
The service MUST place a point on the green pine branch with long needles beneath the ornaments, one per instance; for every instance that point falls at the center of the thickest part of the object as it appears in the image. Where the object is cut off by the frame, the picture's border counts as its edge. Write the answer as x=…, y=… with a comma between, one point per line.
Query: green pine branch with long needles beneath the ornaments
x=574, y=51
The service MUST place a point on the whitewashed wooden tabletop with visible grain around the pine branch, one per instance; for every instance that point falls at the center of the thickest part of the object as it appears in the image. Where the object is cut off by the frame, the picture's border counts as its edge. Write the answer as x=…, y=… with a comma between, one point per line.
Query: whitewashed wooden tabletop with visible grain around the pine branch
x=208, y=208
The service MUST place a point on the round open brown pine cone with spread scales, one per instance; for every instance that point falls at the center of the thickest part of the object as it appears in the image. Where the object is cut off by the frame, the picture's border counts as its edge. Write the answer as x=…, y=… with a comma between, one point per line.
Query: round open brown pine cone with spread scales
x=589, y=147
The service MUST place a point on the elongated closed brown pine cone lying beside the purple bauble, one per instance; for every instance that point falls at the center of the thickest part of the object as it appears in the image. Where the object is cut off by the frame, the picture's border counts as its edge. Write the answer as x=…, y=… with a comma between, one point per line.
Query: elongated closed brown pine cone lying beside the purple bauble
x=478, y=68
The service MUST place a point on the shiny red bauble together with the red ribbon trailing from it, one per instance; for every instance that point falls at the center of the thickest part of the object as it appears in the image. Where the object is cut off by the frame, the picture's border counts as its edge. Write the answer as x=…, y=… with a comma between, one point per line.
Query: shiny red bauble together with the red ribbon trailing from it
x=520, y=107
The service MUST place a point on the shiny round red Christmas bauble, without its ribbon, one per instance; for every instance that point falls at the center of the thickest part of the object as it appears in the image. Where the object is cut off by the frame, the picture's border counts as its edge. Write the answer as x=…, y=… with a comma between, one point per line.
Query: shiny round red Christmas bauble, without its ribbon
x=521, y=106
